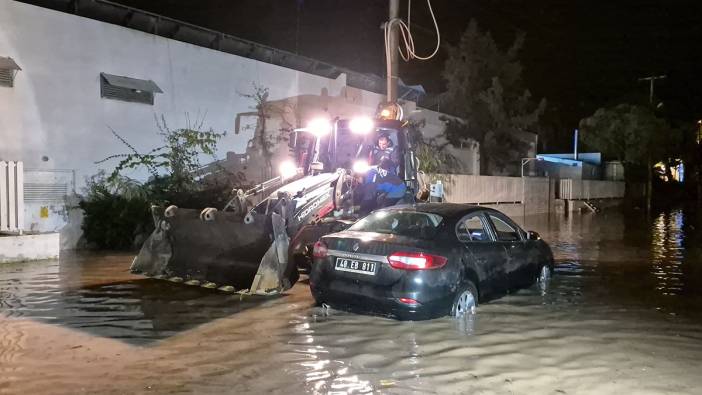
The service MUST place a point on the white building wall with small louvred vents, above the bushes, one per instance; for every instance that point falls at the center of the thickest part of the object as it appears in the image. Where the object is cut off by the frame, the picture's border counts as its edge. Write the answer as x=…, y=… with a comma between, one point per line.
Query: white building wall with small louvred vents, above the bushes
x=55, y=109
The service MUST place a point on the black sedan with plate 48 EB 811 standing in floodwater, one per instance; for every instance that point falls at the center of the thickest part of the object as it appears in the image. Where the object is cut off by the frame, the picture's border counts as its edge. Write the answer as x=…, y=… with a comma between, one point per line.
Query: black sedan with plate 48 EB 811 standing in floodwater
x=427, y=260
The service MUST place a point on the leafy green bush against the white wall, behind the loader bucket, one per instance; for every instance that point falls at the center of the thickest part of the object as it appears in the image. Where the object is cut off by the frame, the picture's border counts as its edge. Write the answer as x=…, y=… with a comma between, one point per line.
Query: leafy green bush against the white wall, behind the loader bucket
x=117, y=209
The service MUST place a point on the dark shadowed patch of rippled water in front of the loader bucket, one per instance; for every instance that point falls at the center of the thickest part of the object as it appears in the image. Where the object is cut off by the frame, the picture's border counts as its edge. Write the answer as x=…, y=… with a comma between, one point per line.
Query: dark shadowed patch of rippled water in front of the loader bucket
x=138, y=311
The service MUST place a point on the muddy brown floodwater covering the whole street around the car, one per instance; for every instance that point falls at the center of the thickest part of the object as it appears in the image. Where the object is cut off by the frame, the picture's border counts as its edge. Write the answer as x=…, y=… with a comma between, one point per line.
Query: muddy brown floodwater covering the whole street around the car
x=623, y=314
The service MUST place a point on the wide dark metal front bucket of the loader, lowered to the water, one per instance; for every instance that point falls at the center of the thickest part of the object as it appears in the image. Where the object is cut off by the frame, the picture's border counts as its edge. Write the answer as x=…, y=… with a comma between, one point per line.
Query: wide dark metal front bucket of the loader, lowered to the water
x=219, y=250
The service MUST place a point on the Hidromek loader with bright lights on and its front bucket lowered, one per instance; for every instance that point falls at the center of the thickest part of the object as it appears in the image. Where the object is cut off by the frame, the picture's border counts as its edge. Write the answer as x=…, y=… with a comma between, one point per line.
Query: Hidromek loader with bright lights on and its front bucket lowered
x=259, y=250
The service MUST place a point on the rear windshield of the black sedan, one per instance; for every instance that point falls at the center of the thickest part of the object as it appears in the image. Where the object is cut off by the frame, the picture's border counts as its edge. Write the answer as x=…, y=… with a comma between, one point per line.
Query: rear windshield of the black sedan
x=401, y=223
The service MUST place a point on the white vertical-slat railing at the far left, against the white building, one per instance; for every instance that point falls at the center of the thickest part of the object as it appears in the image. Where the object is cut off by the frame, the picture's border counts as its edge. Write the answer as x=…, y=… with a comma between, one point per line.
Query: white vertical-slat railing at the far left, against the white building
x=11, y=197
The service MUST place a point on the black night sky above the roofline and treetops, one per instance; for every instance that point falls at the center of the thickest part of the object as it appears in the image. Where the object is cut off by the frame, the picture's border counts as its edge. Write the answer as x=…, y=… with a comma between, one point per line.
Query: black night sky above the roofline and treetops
x=580, y=55
